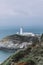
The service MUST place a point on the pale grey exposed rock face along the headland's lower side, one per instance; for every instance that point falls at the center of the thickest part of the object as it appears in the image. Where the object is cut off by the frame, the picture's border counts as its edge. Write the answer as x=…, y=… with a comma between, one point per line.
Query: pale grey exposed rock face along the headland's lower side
x=11, y=45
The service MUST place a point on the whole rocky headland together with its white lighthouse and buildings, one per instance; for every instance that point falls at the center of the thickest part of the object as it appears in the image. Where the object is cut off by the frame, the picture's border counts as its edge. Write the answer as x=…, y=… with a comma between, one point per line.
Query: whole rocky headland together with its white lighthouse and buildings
x=19, y=41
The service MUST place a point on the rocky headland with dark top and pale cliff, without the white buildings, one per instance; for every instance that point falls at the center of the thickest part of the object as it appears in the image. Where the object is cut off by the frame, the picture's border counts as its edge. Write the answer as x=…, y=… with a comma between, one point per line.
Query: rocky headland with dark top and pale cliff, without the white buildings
x=17, y=41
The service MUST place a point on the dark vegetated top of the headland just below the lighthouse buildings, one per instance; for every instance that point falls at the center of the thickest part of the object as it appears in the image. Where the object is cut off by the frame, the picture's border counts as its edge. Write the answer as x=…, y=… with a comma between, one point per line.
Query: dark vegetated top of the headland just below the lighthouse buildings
x=21, y=38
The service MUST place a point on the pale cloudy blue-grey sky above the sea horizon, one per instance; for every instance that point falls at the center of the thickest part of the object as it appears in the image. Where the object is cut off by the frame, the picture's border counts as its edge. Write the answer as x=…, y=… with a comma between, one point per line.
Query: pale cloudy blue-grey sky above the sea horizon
x=21, y=13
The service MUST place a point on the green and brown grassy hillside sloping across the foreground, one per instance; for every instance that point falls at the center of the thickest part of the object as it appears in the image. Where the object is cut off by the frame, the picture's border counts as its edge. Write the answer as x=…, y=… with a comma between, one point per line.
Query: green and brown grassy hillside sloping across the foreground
x=33, y=55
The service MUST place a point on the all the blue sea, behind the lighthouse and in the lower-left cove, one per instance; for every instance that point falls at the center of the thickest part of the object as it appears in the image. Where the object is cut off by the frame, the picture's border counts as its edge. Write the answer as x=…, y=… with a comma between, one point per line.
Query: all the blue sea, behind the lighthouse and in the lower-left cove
x=10, y=31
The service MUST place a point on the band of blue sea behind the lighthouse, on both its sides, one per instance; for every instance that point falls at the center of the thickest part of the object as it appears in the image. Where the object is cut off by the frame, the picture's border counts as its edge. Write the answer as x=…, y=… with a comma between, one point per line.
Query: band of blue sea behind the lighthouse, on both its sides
x=7, y=32
